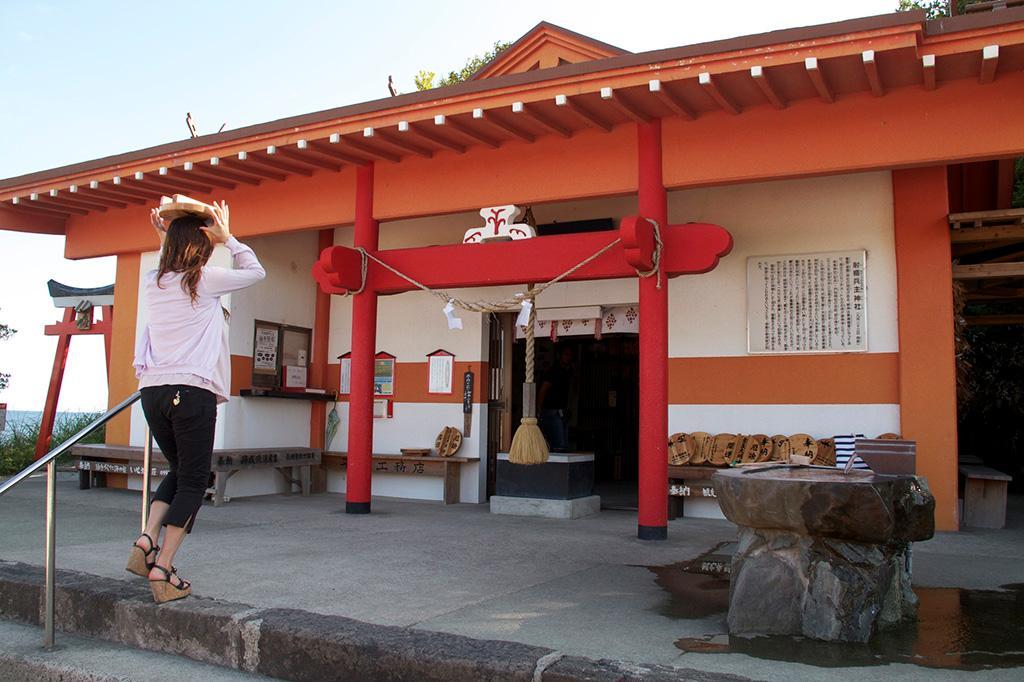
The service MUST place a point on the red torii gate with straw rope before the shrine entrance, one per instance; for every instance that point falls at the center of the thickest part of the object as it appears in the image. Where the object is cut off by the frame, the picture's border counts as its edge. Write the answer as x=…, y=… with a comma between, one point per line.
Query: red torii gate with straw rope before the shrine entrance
x=692, y=248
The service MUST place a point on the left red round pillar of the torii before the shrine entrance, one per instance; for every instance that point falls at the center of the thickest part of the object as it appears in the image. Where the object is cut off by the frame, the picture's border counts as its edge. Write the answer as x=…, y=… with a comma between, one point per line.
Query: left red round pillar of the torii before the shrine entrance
x=361, y=400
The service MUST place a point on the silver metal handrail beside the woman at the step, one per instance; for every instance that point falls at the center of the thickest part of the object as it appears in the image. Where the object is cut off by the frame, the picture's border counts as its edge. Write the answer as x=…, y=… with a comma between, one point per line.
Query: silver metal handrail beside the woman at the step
x=49, y=461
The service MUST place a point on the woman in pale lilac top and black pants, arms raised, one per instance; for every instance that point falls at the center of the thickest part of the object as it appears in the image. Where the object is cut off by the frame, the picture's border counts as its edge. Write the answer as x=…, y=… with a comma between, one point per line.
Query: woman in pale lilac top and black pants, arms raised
x=184, y=367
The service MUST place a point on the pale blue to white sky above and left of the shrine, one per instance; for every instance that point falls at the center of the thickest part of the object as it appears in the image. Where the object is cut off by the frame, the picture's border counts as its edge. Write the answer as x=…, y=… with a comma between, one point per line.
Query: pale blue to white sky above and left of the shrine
x=82, y=80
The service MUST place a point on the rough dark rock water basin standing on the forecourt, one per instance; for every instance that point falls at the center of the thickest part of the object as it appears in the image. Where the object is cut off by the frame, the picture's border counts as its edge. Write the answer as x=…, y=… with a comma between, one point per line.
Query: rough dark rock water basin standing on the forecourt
x=823, y=555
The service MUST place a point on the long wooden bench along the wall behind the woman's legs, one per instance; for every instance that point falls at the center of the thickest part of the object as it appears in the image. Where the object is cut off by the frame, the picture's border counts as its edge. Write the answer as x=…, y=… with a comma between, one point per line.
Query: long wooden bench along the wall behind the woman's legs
x=294, y=464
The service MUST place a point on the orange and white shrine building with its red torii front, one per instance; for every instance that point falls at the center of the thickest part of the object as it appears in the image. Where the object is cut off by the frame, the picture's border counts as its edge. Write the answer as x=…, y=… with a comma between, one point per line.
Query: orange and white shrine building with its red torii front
x=772, y=219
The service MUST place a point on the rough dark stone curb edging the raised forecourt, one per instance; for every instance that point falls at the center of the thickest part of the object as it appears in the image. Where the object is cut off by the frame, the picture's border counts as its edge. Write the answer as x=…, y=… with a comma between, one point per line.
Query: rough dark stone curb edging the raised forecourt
x=293, y=645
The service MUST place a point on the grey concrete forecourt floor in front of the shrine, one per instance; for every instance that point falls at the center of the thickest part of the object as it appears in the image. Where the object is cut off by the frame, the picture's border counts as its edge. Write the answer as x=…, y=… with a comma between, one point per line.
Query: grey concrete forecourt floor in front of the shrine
x=584, y=587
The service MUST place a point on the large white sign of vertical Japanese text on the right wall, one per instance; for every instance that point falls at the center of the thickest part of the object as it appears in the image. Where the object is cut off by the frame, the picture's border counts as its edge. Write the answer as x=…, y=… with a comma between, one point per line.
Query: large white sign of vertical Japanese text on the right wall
x=807, y=304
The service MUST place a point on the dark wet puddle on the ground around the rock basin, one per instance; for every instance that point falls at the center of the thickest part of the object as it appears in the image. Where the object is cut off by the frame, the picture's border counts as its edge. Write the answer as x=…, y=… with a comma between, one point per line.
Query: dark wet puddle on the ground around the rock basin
x=956, y=629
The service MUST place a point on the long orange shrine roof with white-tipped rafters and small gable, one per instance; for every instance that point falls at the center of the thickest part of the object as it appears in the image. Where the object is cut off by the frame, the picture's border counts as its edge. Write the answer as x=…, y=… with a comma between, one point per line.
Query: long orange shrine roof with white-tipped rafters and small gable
x=509, y=101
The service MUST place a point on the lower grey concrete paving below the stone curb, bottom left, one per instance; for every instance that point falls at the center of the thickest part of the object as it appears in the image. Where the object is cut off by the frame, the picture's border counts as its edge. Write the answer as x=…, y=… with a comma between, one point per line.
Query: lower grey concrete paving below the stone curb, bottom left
x=84, y=660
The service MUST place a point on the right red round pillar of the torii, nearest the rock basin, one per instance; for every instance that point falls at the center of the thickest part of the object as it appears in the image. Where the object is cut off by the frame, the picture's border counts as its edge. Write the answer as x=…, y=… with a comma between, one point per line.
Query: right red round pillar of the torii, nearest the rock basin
x=653, y=520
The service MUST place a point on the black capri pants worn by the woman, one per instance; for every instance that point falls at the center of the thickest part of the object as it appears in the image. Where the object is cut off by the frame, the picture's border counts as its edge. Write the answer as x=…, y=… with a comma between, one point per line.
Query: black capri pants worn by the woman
x=183, y=420
